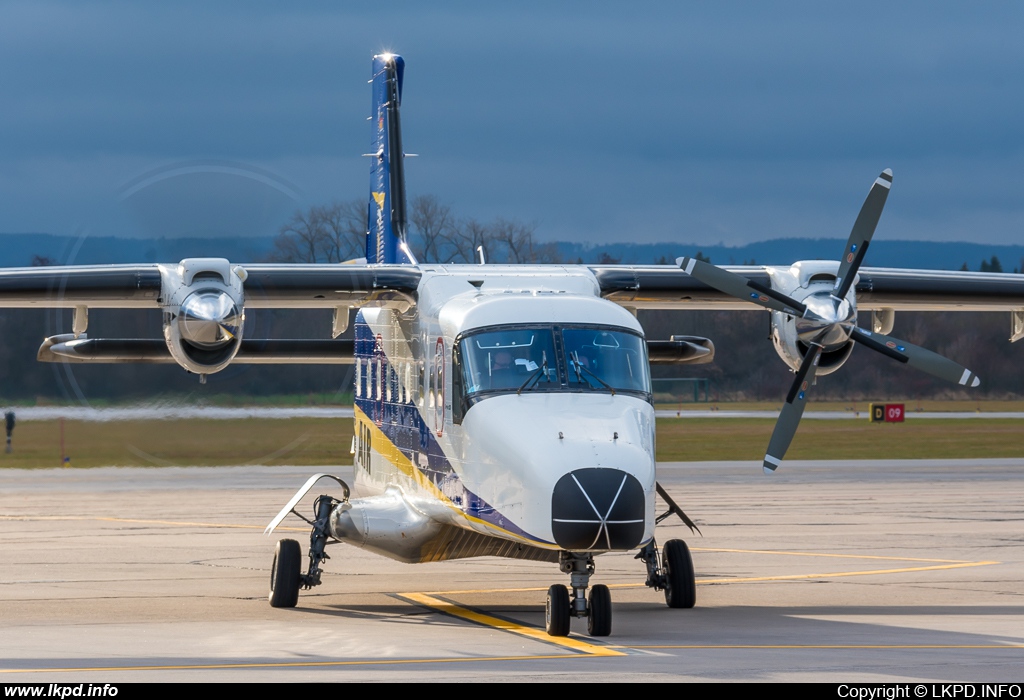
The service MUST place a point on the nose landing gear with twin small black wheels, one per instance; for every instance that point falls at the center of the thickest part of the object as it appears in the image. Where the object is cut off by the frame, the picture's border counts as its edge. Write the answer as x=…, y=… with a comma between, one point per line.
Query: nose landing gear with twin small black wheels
x=562, y=607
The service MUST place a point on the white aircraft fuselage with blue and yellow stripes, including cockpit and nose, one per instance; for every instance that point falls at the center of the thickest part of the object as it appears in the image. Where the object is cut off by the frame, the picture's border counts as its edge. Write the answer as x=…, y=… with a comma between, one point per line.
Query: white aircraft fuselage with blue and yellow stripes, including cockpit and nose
x=513, y=404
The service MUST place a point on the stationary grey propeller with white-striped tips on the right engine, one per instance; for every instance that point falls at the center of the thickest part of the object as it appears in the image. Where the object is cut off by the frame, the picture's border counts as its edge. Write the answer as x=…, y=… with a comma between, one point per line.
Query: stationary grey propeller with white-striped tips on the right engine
x=828, y=321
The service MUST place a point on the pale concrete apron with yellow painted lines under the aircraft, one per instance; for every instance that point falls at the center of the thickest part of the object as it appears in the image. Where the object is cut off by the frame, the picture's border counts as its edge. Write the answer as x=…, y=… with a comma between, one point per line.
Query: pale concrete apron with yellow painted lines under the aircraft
x=837, y=572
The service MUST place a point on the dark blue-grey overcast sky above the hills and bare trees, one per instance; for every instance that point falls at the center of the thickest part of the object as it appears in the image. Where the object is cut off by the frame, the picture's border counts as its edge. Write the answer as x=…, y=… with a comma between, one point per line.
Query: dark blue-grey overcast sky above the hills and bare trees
x=692, y=122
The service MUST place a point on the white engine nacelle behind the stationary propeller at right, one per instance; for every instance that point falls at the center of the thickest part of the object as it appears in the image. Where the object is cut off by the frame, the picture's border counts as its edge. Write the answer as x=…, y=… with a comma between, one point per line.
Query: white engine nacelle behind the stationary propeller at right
x=812, y=283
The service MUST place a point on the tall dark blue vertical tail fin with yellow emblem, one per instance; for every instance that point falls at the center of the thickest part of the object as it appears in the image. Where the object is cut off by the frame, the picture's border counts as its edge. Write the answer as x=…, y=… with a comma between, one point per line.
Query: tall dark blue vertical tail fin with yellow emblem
x=387, y=212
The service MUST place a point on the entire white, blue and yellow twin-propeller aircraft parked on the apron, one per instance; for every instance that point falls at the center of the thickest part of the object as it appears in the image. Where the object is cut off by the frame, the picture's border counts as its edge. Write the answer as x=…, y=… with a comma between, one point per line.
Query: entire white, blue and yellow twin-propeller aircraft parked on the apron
x=503, y=410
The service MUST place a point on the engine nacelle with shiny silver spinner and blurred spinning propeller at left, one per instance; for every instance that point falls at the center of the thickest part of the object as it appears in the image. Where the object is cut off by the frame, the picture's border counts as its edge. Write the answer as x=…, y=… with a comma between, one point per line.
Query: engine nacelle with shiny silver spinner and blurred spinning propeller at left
x=203, y=301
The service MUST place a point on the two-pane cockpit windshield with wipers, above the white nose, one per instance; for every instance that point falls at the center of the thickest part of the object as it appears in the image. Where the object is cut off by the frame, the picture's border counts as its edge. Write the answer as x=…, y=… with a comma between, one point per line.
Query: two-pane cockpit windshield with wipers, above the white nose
x=547, y=359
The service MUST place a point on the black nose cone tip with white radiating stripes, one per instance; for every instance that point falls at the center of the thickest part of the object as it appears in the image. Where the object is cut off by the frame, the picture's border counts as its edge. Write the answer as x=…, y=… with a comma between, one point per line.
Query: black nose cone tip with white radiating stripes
x=598, y=509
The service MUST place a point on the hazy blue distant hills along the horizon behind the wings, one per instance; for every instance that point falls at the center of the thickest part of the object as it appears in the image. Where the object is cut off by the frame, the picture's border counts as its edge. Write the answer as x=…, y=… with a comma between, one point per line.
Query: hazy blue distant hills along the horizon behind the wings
x=19, y=249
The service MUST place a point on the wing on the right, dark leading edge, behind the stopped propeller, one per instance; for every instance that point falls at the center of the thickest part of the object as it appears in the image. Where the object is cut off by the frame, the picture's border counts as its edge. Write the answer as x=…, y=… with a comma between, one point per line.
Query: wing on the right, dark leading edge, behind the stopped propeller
x=665, y=287
